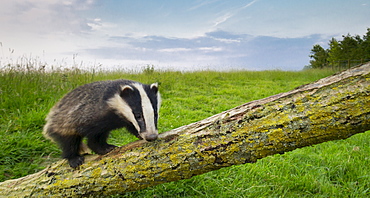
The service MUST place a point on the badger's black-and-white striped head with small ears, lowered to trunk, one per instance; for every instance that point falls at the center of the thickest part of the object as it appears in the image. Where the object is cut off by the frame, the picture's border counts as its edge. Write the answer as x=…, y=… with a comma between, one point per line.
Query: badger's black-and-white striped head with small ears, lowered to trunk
x=138, y=104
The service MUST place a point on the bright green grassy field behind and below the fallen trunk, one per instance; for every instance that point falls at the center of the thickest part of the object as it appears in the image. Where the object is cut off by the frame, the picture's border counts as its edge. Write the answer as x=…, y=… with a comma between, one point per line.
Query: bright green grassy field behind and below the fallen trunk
x=332, y=169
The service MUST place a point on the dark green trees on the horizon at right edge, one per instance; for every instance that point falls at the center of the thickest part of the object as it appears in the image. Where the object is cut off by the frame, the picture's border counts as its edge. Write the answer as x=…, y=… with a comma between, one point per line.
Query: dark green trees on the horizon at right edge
x=350, y=51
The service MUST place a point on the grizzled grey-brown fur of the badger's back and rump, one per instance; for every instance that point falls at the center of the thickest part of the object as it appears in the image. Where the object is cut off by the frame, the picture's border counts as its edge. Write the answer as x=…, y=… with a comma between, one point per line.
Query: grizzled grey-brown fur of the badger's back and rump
x=80, y=106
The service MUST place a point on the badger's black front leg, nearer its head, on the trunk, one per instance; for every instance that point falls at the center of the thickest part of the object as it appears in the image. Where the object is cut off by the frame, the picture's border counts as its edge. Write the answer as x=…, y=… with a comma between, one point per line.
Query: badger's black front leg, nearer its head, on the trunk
x=98, y=142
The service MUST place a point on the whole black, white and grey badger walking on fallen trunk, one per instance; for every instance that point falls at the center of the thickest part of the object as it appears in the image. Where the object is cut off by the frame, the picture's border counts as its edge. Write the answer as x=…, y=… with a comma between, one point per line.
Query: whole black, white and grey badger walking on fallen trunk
x=92, y=110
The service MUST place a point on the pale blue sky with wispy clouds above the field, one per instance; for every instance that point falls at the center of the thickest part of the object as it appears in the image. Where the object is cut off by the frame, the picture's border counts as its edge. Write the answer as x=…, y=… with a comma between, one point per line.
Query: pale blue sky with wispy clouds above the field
x=183, y=35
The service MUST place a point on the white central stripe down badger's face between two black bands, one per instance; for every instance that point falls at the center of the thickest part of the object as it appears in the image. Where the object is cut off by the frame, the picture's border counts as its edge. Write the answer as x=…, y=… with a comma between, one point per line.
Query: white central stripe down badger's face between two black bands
x=148, y=111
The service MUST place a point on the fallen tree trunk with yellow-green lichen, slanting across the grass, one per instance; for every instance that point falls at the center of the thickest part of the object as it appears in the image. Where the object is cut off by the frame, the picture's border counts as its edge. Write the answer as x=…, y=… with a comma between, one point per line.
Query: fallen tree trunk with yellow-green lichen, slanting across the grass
x=332, y=108
